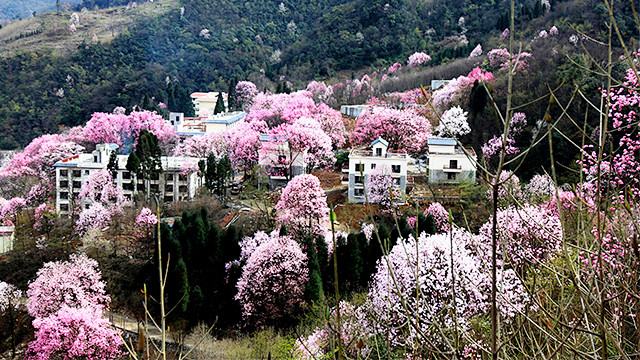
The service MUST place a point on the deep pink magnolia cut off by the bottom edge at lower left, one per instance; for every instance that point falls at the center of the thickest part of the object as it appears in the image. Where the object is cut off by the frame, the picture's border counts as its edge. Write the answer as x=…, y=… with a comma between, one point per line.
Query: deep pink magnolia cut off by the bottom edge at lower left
x=74, y=333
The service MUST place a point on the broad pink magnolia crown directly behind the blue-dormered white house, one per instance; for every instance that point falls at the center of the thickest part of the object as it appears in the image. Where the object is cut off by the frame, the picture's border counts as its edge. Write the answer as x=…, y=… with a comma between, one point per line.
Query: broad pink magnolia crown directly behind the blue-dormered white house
x=403, y=129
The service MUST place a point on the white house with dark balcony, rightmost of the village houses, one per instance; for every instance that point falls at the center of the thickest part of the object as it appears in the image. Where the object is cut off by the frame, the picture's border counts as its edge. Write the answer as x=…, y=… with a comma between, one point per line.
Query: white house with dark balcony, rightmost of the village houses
x=448, y=163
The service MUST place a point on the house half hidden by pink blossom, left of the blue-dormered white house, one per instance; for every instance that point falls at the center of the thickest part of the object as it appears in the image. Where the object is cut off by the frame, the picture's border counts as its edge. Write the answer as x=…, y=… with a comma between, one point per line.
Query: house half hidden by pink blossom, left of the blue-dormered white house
x=278, y=159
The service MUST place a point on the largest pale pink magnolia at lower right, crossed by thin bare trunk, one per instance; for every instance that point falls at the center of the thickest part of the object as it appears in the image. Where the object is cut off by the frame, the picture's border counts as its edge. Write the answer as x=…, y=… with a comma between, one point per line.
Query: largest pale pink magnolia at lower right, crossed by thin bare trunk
x=421, y=319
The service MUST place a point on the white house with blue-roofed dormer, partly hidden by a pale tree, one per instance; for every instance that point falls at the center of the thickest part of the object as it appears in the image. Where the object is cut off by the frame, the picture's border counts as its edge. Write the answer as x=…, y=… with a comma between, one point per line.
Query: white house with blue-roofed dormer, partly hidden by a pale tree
x=362, y=162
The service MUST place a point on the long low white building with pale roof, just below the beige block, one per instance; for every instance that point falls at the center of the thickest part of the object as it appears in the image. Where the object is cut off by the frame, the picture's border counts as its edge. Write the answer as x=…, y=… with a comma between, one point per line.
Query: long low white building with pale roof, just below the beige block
x=190, y=126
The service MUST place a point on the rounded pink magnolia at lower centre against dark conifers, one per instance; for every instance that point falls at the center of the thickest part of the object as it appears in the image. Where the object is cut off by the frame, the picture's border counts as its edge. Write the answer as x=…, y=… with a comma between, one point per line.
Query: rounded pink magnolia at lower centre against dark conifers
x=271, y=288
